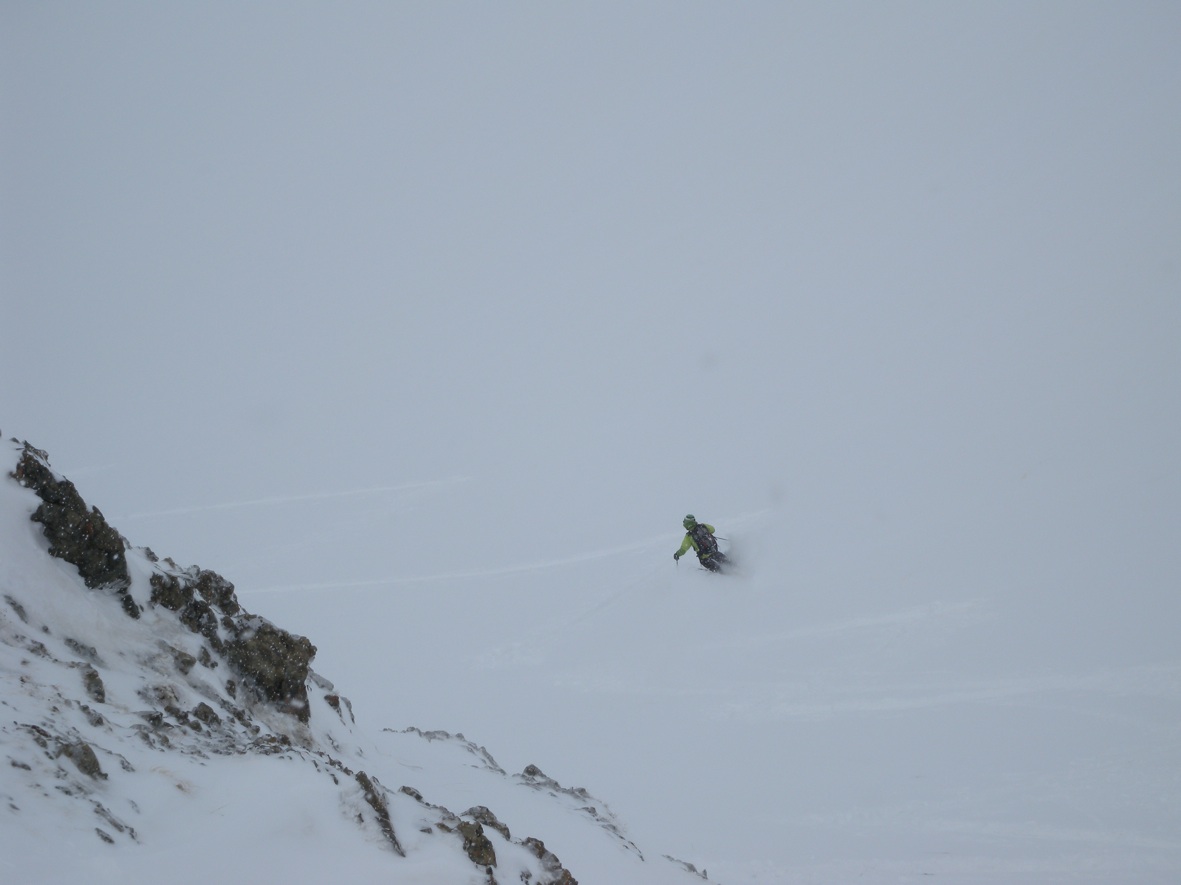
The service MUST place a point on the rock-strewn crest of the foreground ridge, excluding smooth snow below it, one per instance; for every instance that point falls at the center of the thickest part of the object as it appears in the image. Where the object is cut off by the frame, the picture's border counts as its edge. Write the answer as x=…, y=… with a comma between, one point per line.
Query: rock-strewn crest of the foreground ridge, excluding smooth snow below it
x=164, y=660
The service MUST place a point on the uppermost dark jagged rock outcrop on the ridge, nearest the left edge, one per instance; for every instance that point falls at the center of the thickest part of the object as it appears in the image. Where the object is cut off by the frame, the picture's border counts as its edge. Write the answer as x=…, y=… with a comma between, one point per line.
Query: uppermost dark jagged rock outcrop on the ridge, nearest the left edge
x=80, y=536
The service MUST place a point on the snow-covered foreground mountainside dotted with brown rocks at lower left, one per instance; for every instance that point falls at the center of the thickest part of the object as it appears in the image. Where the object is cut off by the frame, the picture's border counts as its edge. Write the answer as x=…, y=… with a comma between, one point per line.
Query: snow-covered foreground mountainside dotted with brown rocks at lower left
x=151, y=725
